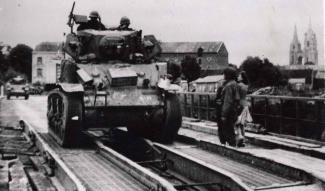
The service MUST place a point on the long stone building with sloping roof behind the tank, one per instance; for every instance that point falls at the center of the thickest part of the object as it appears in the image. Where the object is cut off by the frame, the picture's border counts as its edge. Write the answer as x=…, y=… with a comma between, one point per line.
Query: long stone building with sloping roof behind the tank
x=214, y=54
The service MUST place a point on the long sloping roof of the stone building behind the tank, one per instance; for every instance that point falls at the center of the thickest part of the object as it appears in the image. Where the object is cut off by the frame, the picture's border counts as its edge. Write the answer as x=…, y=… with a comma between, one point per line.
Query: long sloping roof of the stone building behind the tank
x=190, y=47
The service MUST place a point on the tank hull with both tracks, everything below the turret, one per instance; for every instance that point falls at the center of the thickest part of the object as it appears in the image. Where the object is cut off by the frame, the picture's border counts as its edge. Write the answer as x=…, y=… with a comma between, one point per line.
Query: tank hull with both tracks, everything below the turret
x=108, y=95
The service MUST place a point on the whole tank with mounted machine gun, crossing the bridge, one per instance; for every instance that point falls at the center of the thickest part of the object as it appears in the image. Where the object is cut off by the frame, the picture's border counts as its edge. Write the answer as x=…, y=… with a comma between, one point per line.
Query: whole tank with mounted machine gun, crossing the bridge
x=111, y=80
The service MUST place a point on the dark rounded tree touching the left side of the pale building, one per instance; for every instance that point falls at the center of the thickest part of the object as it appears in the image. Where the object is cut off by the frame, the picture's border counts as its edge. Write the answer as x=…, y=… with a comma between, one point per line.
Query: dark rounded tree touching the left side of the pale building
x=20, y=58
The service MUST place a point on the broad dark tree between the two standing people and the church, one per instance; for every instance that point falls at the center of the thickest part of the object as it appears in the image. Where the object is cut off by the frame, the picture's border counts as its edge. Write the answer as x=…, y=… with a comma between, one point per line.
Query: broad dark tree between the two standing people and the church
x=262, y=73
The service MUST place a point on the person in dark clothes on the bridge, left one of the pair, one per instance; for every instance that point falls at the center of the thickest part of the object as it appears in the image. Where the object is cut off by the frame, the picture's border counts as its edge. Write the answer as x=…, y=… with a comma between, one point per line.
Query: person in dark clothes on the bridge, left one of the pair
x=230, y=102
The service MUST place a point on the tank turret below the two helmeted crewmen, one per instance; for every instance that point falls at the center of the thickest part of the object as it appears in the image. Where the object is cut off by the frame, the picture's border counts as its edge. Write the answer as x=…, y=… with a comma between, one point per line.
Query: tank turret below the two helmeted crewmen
x=128, y=46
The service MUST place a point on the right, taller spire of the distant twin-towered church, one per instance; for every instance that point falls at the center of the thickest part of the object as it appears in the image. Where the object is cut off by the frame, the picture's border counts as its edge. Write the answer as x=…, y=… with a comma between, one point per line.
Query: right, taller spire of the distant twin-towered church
x=310, y=47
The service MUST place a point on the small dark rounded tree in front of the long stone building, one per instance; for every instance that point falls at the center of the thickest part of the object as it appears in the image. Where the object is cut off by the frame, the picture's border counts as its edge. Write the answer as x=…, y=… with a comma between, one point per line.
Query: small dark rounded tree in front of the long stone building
x=190, y=68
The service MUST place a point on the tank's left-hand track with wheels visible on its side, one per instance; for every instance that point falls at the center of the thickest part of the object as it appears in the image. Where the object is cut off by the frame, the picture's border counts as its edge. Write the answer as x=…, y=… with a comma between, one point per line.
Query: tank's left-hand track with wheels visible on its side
x=64, y=114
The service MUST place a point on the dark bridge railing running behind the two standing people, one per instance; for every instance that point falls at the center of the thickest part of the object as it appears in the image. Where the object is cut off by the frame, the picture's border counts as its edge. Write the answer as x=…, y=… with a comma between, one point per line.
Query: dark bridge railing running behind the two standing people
x=297, y=116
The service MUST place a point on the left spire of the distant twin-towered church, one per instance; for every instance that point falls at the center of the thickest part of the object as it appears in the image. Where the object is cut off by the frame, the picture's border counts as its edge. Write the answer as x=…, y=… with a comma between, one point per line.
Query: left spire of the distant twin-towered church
x=296, y=54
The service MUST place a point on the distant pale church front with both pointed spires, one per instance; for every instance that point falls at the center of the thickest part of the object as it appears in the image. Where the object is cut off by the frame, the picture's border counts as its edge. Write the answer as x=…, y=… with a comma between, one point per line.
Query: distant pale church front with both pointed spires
x=309, y=54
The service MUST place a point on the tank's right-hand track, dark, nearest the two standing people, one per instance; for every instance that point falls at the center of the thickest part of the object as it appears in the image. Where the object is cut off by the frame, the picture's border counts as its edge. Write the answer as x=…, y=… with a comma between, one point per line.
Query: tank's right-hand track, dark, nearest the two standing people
x=168, y=120
